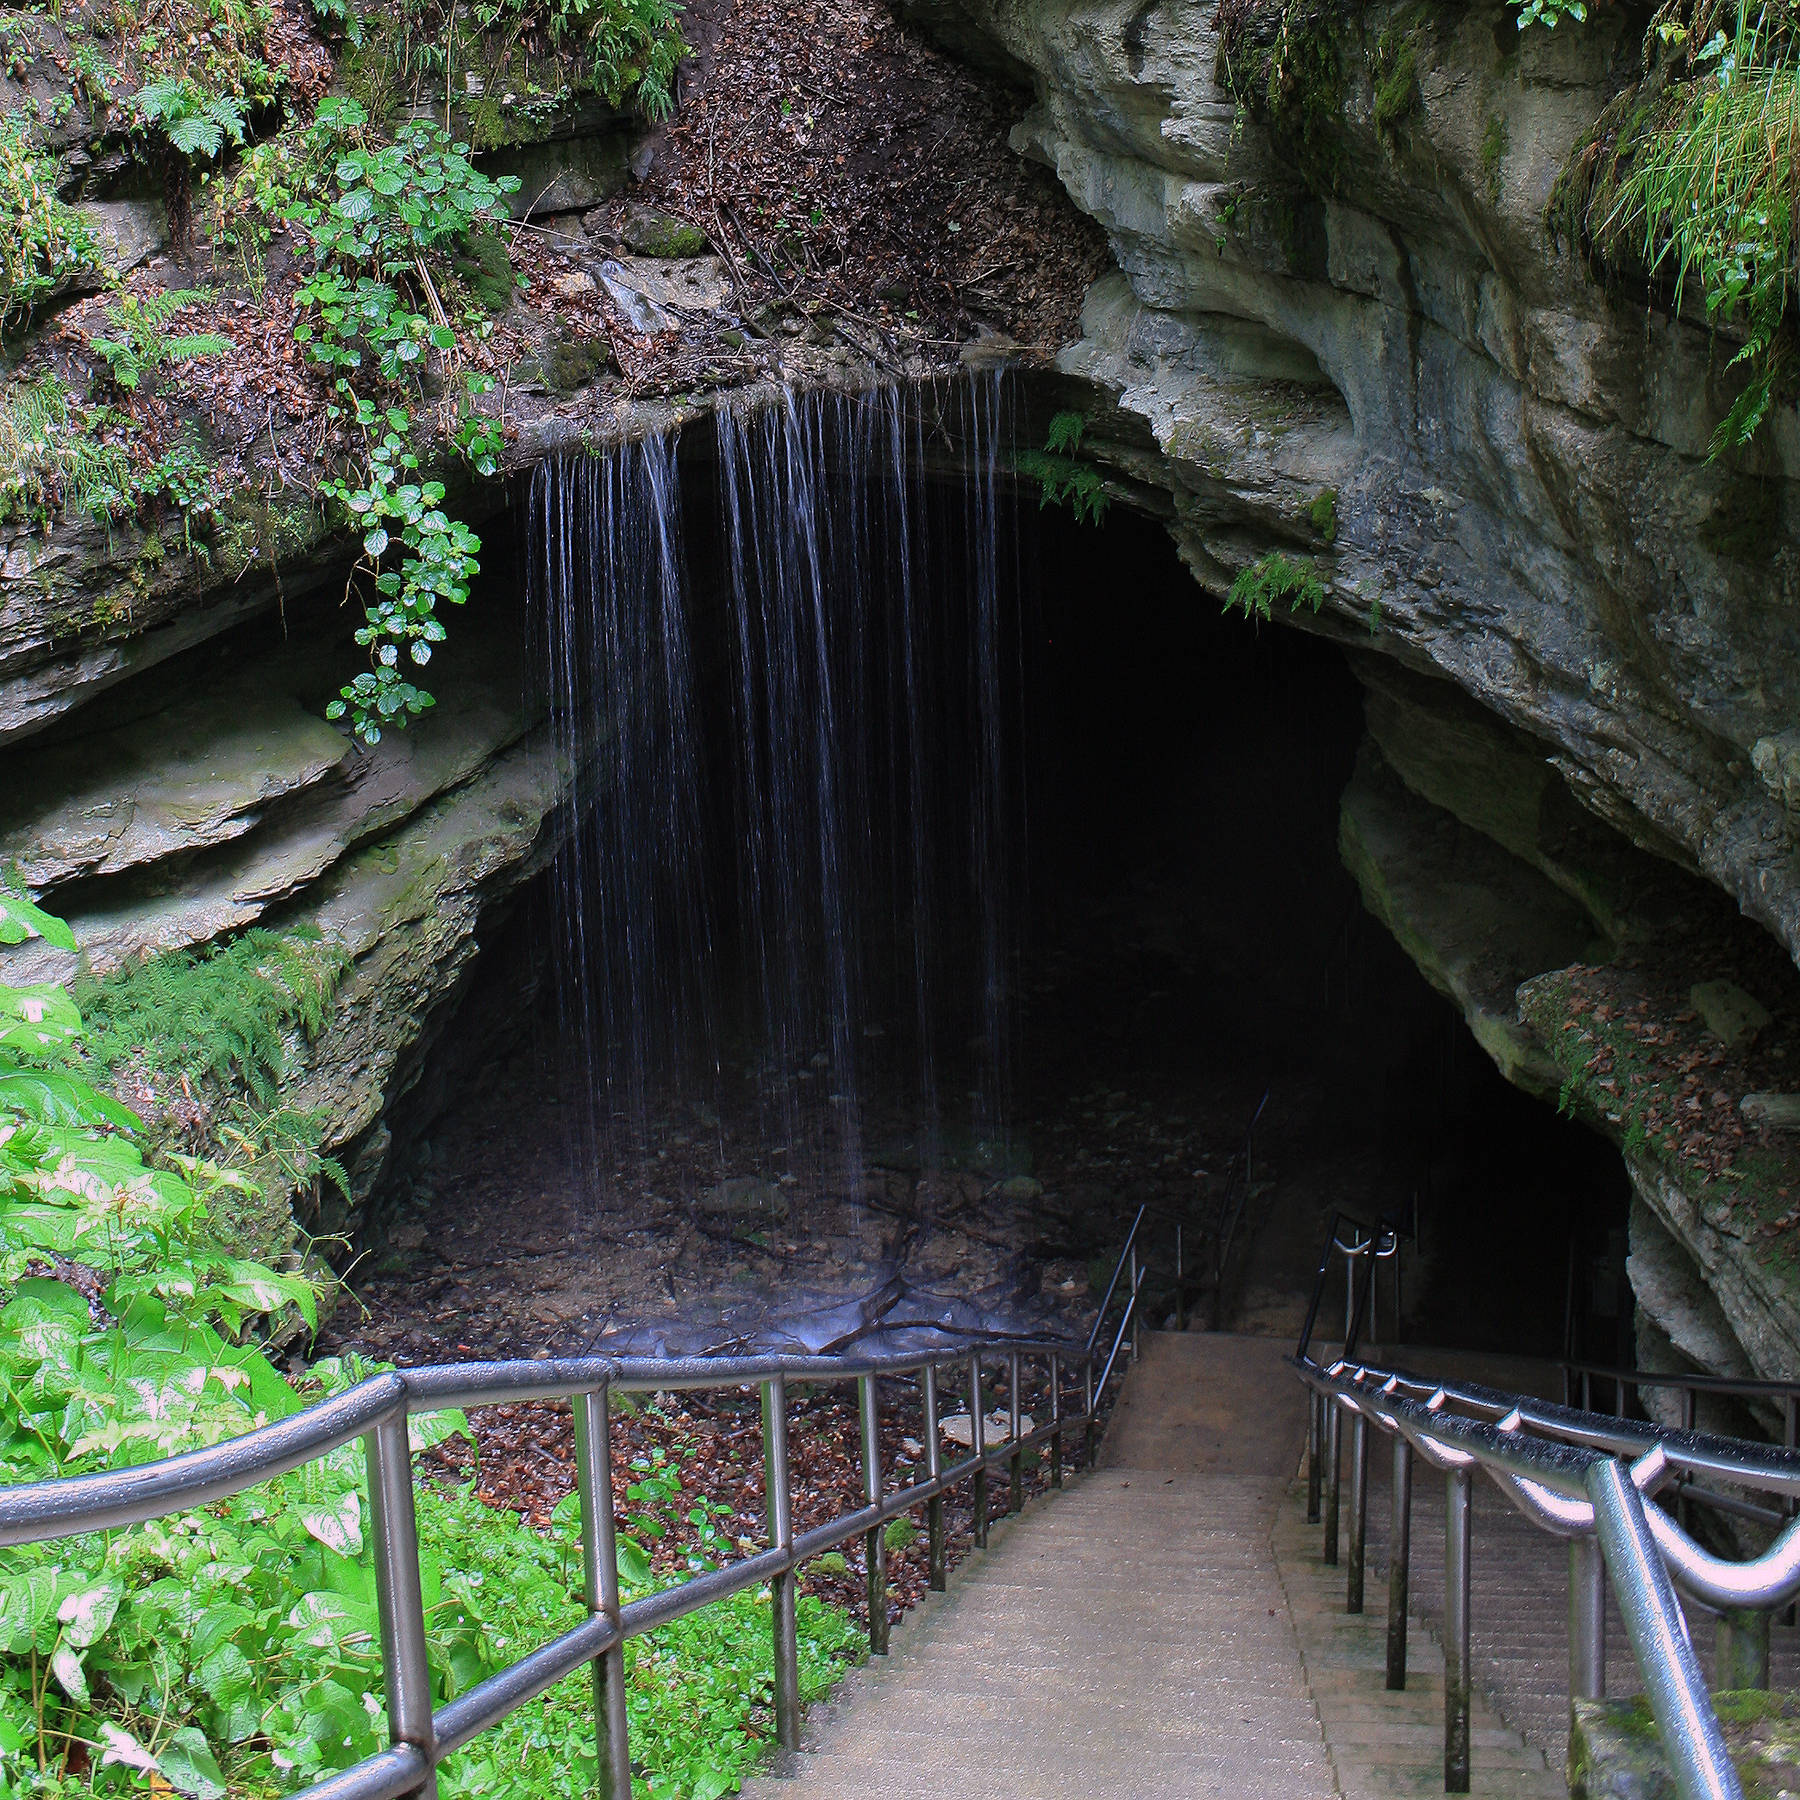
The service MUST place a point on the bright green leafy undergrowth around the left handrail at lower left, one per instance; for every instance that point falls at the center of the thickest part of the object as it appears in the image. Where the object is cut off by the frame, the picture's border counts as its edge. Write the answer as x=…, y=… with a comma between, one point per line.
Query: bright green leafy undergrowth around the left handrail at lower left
x=237, y=1650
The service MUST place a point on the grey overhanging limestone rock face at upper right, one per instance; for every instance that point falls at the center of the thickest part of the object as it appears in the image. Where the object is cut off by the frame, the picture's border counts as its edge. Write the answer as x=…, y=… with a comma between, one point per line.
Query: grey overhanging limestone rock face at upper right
x=1522, y=494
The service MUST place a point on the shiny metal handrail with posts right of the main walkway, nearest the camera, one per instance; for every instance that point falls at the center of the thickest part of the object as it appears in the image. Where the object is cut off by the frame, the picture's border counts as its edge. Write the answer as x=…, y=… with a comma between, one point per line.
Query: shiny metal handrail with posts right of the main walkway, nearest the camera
x=1583, y=1477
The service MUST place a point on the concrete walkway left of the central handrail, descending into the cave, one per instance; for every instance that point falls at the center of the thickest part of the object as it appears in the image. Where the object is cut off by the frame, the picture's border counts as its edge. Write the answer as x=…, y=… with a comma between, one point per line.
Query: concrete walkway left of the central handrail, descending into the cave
x=1126, y=1639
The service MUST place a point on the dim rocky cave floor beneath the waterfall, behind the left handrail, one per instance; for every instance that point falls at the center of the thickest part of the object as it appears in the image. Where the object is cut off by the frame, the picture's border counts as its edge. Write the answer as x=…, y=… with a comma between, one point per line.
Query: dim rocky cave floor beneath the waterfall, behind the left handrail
x=717, y=1237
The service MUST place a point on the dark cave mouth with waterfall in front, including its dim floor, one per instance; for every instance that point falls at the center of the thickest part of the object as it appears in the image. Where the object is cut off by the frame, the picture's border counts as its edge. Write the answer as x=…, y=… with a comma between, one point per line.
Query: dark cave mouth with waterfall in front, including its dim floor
x=1083, y=928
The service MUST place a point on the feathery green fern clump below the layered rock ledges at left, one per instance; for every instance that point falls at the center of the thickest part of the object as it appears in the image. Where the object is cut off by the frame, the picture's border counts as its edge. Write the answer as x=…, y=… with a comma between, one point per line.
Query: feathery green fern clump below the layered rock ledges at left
x=219, y=1016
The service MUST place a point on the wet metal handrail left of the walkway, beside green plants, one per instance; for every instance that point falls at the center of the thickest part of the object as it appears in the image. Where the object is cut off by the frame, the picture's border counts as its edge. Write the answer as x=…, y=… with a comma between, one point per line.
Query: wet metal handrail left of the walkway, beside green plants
x=377, y=1412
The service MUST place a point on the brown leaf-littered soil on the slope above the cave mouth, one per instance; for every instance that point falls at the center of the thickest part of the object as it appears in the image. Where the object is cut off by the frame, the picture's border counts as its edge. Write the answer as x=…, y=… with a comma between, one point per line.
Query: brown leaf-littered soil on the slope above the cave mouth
x=854, y=179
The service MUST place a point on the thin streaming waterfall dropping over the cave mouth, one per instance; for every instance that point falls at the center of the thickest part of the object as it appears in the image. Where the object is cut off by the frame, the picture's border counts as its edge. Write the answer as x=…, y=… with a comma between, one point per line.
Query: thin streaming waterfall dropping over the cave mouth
x=786, y=672
